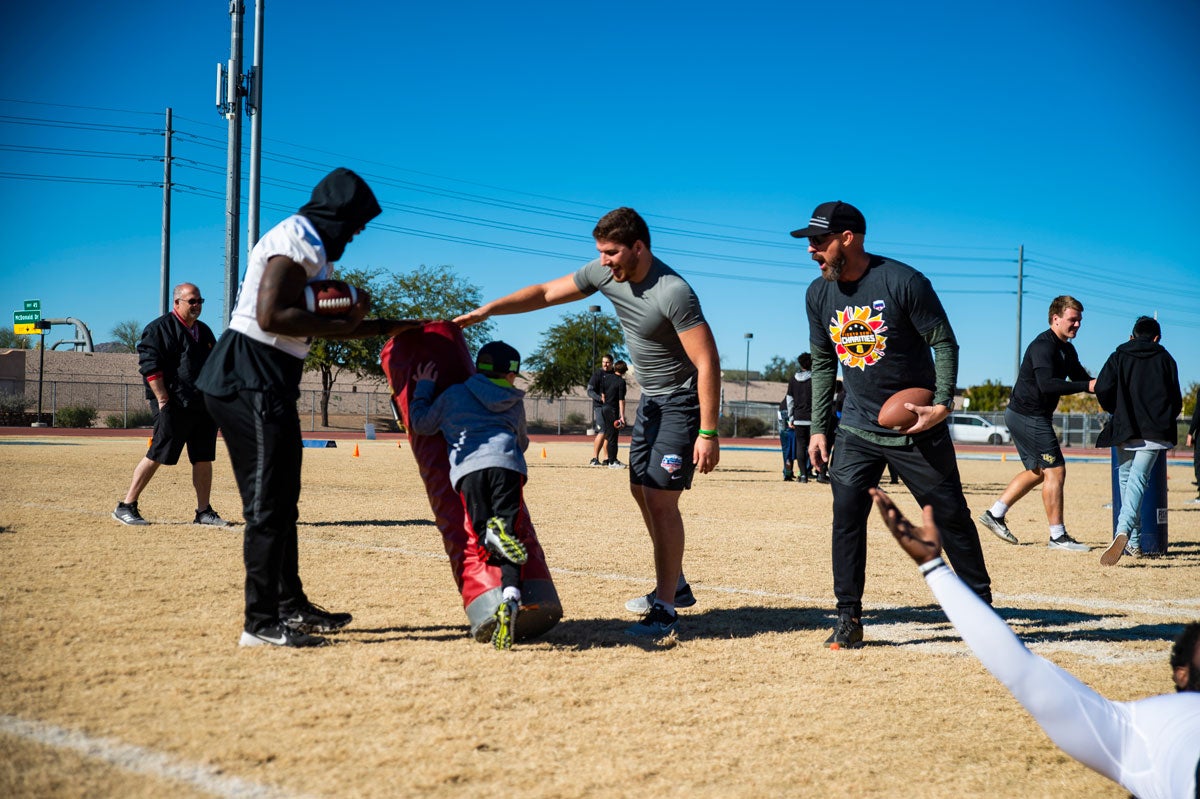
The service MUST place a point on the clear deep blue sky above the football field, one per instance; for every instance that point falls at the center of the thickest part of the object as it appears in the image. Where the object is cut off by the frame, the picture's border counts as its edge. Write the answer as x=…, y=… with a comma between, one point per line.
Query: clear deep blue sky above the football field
x=496, y=135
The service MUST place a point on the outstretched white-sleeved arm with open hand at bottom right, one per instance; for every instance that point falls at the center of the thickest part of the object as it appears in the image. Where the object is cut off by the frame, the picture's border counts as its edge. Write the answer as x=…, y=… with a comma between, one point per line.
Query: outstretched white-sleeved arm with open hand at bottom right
x=1085, y=725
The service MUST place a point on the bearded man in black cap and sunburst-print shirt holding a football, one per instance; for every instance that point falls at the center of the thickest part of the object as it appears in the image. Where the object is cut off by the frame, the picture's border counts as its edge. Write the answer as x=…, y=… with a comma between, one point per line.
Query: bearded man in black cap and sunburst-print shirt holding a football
x=885, y=325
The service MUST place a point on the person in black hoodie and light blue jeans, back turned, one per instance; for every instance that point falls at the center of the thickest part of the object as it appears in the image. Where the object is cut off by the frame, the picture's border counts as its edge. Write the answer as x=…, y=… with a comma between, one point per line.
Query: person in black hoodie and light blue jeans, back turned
x=1141, y=387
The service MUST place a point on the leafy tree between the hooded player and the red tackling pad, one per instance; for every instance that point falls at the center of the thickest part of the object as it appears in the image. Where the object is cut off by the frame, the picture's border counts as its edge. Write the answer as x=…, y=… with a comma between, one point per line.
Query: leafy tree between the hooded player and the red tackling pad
x=425, y=293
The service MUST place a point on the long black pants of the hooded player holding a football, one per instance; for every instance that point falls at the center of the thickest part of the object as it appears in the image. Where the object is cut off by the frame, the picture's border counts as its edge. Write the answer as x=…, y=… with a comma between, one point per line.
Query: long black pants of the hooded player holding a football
x=262, y=434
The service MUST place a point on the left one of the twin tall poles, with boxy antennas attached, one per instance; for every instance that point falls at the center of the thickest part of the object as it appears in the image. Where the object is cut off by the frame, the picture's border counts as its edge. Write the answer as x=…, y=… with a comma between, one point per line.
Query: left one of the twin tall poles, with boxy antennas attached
x=230, y=93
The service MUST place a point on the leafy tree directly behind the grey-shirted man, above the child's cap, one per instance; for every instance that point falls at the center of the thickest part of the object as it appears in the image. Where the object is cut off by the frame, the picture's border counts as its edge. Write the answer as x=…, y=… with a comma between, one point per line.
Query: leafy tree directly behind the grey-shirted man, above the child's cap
x=565, y=358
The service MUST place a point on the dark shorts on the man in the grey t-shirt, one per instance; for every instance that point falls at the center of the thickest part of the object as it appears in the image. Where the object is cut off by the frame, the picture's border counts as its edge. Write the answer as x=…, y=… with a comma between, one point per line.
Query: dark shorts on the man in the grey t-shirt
x=664, y=441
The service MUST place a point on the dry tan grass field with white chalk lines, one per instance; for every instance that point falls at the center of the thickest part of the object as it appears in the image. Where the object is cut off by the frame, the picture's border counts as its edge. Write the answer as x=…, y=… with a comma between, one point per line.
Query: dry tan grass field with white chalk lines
x=121, y=674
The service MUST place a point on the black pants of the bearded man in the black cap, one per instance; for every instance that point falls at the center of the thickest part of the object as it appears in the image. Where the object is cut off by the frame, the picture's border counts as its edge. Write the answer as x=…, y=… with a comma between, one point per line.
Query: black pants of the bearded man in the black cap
x=931, y=471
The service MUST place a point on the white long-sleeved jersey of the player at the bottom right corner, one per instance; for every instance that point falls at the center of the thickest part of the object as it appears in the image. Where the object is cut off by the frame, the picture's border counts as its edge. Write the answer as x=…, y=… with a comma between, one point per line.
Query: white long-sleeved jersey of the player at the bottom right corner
x=1150, y=747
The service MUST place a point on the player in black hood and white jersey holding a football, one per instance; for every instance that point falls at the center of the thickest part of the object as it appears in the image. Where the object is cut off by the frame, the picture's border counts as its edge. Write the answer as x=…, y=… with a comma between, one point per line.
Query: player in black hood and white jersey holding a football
x=251, y=385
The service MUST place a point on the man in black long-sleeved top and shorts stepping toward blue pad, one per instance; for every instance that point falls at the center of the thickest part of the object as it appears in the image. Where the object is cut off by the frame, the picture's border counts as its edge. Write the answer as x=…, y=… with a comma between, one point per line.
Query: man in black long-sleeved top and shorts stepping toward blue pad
x=1049, y=371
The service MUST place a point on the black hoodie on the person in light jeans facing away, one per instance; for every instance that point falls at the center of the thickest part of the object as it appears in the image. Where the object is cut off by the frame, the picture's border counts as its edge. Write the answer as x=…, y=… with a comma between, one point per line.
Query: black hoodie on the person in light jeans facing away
x=1141, y=387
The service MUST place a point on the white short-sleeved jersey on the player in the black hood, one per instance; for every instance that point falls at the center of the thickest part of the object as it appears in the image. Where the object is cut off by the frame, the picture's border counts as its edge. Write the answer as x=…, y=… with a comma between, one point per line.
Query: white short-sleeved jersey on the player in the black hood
x=293, y=238
